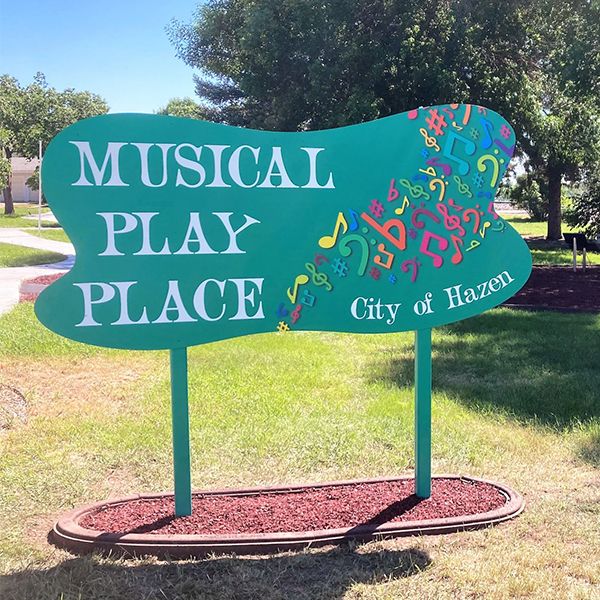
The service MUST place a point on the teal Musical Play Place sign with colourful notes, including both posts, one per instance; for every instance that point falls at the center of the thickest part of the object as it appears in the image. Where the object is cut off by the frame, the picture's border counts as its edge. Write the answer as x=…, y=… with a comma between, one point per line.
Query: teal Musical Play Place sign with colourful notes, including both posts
x=189, y=232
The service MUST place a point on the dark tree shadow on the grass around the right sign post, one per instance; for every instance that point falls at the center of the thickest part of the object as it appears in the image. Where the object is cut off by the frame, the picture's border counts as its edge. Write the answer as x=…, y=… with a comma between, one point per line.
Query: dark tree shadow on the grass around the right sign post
x=538, y=367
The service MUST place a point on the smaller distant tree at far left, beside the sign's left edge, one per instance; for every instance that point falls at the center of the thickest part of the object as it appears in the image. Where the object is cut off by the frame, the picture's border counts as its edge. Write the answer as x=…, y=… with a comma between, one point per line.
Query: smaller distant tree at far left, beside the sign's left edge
x=33, y=113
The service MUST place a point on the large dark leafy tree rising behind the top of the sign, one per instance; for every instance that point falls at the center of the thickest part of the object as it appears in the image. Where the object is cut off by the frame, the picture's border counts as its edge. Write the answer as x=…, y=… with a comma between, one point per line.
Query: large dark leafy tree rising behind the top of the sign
x=306, y=64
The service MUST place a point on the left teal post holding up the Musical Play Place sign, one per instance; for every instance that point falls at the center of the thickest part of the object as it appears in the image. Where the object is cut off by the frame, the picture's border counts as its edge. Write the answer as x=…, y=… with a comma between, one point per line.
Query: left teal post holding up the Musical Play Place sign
x=181, y=432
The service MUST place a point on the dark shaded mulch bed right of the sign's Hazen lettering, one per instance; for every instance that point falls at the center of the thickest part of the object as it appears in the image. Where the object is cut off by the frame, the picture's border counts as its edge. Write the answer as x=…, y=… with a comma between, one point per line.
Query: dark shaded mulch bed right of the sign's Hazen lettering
x=560, y=288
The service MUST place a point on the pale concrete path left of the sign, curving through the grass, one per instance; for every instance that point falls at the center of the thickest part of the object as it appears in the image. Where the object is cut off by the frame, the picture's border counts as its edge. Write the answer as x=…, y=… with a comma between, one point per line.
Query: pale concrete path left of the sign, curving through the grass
x=11, y=277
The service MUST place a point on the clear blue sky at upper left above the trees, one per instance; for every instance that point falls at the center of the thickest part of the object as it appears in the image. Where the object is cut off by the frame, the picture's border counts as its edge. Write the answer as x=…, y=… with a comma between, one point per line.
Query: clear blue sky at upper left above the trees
x=119, y=50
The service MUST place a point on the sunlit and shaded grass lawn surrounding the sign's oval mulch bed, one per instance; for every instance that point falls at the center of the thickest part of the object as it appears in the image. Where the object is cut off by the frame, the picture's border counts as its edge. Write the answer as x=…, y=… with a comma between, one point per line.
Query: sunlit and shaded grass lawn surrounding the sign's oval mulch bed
x=516, y=398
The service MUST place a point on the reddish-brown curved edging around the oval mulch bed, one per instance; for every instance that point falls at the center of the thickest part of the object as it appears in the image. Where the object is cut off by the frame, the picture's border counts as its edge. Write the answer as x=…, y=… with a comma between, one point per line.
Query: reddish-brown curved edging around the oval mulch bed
x=69, y=535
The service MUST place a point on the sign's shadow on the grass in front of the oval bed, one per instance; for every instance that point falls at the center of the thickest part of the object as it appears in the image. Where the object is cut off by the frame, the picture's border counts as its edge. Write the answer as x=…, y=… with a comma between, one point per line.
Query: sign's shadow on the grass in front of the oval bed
x=326, y=574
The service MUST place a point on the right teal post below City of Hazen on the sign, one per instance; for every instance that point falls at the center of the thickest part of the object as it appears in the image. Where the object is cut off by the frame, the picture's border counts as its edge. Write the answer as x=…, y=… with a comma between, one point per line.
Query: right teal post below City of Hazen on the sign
x=423, y=413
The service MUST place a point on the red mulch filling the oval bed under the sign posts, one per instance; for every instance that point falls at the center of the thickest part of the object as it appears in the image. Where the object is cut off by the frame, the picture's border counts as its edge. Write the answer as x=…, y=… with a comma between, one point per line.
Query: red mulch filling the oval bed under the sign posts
x=304, y=509
